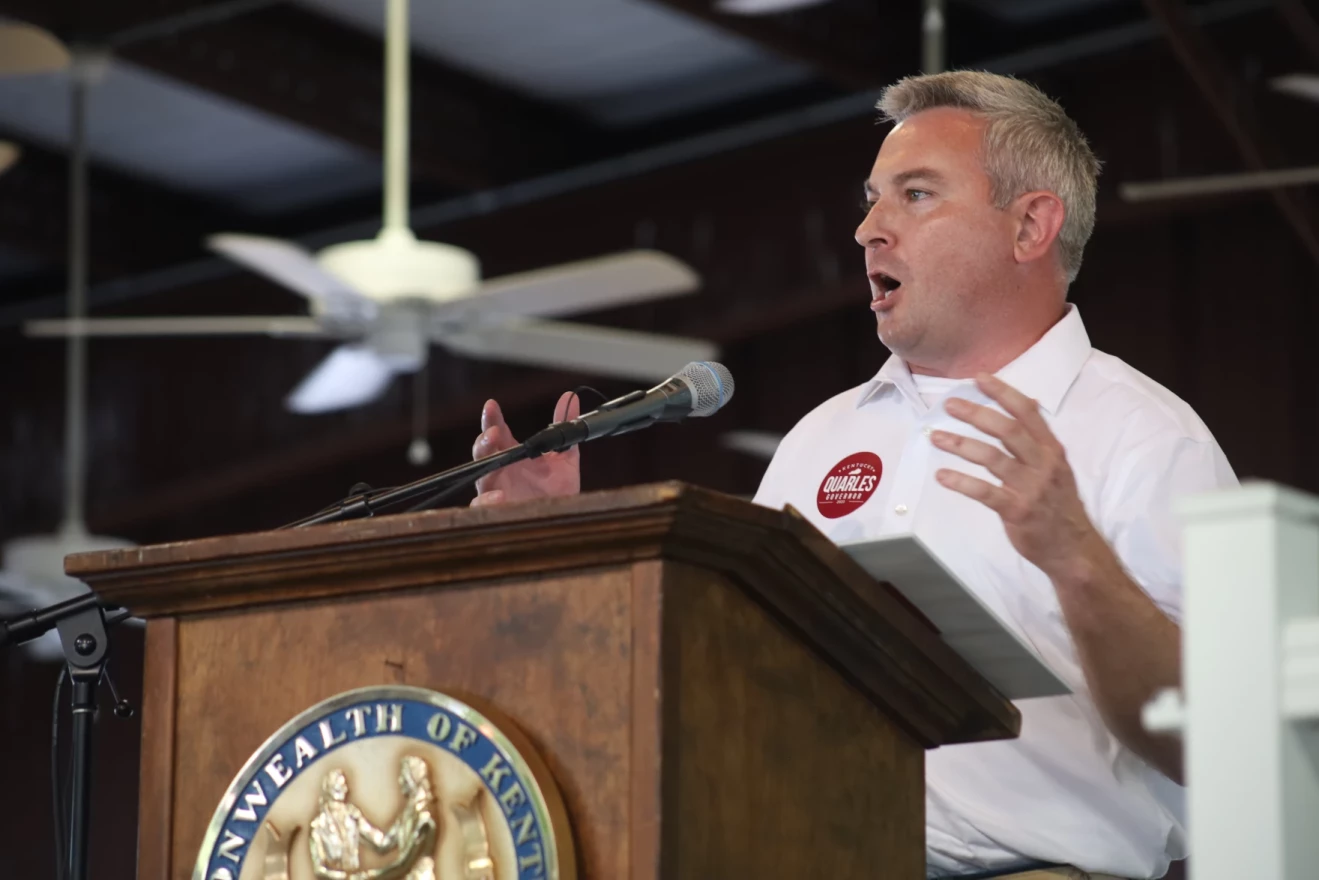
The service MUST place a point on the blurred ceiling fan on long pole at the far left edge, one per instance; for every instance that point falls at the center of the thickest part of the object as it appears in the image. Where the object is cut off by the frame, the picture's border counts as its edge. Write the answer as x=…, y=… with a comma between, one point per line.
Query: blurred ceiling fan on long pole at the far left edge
x=34, y=573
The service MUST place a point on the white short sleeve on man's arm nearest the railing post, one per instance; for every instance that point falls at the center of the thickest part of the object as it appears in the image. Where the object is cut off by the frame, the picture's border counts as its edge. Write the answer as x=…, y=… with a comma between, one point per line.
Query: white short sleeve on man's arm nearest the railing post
x=1140, y=520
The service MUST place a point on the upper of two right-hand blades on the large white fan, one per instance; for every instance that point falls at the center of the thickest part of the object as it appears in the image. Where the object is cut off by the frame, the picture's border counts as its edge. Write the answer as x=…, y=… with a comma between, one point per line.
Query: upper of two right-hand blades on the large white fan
x=588, y=286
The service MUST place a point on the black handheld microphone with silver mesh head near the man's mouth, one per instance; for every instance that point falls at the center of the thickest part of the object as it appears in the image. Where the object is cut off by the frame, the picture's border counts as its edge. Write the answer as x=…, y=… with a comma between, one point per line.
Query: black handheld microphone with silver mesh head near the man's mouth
x=698, y=390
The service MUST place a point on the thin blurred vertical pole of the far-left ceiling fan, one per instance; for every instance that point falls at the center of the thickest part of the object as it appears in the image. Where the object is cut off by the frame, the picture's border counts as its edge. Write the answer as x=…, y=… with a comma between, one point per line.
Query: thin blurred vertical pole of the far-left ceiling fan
x=76, y=361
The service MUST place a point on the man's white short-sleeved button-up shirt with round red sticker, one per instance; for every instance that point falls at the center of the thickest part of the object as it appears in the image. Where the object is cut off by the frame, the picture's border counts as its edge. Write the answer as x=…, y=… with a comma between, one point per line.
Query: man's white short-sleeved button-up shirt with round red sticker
x=1066, y=791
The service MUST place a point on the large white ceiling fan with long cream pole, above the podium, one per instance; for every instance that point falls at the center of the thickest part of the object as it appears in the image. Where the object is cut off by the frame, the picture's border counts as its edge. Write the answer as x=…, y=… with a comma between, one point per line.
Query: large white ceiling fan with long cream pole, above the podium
x=391, y=298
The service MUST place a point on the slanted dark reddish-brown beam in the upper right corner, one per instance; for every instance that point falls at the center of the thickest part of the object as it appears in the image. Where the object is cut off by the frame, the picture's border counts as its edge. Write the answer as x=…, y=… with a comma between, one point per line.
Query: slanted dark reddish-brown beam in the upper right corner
x=1230, y=102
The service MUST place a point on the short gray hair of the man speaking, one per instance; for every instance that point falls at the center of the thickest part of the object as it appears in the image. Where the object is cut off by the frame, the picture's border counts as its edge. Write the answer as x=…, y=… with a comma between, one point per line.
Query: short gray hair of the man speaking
x=1029, y=144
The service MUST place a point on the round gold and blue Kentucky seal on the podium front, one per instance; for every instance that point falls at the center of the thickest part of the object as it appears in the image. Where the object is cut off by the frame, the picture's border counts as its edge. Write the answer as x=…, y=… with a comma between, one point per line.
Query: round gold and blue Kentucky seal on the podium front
x=391, y=784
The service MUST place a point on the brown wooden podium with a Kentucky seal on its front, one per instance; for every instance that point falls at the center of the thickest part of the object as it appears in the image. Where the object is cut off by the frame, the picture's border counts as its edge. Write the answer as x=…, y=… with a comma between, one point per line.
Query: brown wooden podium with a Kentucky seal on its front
x=718, y=691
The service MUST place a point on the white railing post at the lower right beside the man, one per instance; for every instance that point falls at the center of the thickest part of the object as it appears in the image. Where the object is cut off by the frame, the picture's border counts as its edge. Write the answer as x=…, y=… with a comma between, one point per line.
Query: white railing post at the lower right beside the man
x=1250, y=709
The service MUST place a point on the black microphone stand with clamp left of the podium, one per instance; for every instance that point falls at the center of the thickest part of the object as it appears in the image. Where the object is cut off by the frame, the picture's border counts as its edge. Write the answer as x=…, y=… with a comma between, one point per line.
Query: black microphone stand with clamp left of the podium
x=82, y=623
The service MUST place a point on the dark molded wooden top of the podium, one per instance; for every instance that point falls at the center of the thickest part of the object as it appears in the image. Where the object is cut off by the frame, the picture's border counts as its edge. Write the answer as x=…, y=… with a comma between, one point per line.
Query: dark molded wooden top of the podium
x=865, y=629
